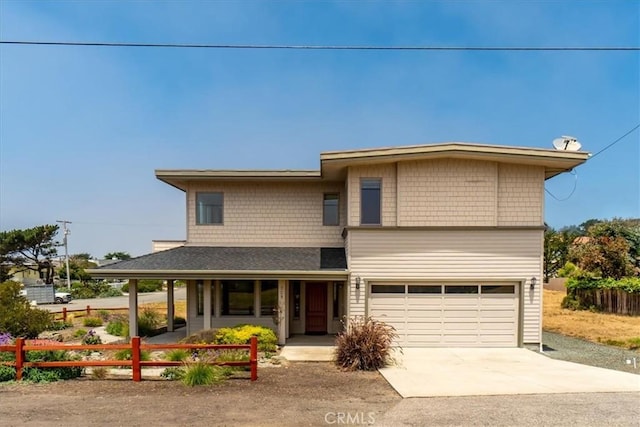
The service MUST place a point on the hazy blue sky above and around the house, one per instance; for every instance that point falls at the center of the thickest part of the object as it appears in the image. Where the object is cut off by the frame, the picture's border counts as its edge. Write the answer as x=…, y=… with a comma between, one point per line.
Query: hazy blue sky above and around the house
x=83, y=128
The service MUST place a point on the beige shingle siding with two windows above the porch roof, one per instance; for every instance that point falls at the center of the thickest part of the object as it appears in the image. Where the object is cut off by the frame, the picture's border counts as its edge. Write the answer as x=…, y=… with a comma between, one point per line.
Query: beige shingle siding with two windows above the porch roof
x=268, y=214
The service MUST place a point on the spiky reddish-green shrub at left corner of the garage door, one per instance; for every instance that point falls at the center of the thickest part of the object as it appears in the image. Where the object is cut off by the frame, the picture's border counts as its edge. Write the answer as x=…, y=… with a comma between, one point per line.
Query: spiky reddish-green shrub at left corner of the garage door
x=365, y=344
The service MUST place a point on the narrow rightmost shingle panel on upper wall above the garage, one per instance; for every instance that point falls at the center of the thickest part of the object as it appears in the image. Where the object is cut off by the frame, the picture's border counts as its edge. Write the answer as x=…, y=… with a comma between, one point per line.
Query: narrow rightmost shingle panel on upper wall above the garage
x=520, y=195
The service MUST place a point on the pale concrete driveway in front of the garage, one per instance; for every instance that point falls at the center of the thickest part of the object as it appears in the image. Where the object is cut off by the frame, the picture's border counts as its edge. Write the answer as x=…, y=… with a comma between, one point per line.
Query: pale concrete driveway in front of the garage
x=428, y=372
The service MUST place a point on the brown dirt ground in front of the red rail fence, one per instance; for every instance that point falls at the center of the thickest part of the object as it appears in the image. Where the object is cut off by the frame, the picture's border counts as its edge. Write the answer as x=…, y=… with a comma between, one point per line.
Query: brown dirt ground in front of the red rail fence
x=301, y=394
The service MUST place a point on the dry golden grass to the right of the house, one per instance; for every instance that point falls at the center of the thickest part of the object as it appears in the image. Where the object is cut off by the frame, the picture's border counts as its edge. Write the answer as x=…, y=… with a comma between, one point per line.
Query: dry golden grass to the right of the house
x=605, y=328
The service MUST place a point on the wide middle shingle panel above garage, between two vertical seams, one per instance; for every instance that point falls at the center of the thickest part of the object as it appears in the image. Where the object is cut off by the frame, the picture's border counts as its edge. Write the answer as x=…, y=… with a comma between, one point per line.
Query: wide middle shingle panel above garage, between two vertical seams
x=447, y=192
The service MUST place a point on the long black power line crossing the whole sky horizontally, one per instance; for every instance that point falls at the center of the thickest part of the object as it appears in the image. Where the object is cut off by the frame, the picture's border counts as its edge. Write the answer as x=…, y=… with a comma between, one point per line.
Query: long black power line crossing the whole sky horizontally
x=328, y=47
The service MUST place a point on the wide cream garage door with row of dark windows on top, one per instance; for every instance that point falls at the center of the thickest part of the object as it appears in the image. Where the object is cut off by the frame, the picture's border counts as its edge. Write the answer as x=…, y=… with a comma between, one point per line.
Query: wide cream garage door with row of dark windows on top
x=448, y=315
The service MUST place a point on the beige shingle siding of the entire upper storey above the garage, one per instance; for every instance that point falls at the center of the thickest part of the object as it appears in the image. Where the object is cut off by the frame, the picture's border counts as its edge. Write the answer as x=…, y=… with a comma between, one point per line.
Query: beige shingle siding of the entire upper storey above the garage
x=453, y=192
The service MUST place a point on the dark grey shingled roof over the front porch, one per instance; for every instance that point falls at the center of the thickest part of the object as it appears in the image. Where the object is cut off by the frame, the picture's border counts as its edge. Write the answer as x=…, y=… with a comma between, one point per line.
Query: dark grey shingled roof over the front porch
x=227, y=262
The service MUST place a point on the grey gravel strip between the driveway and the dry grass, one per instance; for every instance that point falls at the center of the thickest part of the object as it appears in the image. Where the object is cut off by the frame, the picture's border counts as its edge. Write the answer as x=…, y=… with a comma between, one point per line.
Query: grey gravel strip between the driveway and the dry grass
x=576, y=350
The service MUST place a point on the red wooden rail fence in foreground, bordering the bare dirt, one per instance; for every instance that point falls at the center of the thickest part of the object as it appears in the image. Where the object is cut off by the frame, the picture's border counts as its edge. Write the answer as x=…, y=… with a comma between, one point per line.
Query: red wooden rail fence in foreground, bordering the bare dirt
x=20, y=348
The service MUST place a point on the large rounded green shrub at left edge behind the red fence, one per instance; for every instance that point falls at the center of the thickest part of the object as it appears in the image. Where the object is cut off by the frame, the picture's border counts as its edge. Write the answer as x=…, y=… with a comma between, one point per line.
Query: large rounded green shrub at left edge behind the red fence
x=17, y=317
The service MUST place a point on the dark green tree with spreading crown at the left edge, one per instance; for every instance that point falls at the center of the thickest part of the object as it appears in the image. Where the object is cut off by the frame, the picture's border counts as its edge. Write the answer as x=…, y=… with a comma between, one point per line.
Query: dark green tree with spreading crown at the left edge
x=30, y=249
